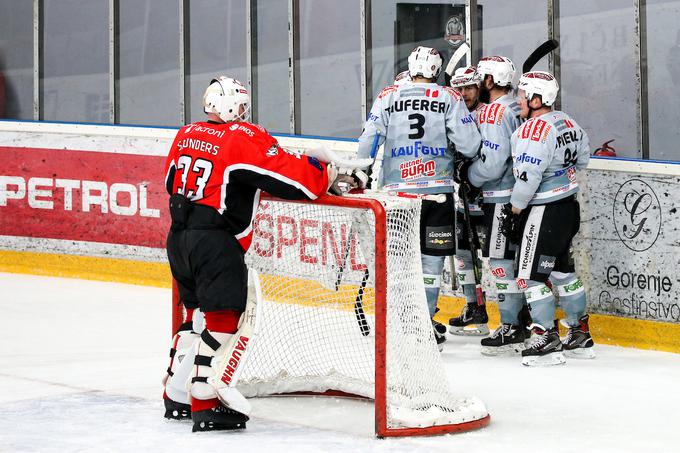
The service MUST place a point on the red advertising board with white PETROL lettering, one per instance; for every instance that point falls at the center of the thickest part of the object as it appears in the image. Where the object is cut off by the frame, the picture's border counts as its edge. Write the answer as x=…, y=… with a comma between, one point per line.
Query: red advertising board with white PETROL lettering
x=111, y=198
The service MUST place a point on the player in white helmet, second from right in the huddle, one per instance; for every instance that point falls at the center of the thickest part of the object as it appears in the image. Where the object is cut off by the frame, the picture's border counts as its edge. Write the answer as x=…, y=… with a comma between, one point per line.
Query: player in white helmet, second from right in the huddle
x=492, y=172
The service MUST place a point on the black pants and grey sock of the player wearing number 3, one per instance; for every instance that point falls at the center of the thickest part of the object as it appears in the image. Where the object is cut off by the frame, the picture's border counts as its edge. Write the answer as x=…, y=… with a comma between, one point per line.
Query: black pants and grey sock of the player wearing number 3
x=437, y=241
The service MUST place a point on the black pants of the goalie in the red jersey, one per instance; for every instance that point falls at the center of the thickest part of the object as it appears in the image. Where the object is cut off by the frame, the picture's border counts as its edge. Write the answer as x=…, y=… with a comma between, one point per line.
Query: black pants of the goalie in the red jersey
x=208, y=263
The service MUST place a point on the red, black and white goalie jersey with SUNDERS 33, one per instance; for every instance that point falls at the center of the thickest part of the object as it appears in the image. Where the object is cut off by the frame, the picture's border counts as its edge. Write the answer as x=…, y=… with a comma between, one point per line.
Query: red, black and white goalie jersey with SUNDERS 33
x=227, y=165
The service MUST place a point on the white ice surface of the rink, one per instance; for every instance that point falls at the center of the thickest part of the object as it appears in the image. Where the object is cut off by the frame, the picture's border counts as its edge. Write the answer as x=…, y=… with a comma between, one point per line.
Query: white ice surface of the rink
x=81, y=364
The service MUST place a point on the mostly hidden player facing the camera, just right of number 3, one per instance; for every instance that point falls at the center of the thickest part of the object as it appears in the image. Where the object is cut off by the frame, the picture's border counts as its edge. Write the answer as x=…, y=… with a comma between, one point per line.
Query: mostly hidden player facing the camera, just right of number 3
x=467, y=82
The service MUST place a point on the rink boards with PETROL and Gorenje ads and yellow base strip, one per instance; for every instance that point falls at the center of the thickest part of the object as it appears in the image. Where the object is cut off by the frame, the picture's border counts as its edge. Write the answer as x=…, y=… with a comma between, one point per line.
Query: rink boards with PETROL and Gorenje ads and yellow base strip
x=88, y=201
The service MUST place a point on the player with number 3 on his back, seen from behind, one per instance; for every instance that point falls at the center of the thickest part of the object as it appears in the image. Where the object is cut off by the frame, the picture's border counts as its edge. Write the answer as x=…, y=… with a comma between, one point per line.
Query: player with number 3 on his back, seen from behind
x=416, y=120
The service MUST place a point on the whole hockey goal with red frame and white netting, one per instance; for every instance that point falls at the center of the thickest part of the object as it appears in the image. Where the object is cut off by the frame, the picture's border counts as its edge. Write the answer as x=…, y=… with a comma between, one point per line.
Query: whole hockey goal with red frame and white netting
x=343, y=312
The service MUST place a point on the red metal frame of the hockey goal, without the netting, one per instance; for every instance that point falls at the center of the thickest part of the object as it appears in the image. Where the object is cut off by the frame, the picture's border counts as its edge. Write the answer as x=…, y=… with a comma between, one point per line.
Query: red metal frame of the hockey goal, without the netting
x=380, y=276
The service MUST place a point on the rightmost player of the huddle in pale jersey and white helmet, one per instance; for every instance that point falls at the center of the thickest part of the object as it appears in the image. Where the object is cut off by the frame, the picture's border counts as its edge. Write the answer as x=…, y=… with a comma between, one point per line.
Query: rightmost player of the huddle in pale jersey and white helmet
x=543, y=217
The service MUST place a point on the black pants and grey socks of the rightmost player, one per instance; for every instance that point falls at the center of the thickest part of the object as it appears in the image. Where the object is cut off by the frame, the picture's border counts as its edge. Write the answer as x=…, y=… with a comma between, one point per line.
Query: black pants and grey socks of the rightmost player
x=545, y=252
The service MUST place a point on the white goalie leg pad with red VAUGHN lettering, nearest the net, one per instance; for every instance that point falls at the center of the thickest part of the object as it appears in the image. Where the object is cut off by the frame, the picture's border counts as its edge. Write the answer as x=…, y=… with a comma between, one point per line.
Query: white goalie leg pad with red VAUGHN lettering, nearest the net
x=230, y=358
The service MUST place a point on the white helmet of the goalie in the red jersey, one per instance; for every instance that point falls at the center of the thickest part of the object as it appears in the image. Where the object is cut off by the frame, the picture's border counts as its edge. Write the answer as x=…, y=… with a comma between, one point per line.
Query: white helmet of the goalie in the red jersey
x=224, y=97
